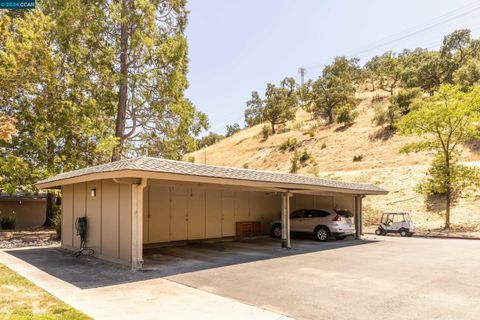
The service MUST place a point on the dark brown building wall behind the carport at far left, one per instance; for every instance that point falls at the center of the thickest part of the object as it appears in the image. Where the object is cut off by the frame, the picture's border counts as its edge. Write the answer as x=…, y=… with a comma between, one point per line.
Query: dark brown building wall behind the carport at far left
x=30, y=213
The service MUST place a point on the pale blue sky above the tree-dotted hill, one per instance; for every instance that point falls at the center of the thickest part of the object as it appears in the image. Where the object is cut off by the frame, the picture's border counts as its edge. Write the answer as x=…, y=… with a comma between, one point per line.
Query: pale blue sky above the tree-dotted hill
x=237, y=46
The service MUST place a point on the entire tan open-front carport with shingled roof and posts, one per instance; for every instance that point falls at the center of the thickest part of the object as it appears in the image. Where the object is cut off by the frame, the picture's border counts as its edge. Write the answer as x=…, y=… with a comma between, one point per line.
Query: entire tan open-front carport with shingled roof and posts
x=143, y=201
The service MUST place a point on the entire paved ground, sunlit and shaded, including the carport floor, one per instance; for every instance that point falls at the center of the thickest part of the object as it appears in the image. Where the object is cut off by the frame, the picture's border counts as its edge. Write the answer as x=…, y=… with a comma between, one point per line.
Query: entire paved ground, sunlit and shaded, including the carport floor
x=391, y=277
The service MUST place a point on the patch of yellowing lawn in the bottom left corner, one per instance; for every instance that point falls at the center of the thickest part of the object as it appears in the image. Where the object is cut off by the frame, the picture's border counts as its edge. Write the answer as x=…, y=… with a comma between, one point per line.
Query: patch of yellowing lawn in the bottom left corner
x=20, y=299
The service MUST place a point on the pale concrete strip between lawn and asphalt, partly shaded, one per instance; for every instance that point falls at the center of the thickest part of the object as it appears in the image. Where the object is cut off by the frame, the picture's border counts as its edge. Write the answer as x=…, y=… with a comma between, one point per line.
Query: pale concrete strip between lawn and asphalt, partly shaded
x=109, y=291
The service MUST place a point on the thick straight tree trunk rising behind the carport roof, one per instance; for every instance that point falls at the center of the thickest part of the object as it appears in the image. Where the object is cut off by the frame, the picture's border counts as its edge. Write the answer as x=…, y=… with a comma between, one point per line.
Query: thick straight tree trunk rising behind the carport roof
x=123, y=86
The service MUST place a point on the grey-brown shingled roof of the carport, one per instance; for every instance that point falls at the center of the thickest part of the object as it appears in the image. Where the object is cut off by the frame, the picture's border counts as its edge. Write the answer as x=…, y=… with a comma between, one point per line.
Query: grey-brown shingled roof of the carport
x=156, y=165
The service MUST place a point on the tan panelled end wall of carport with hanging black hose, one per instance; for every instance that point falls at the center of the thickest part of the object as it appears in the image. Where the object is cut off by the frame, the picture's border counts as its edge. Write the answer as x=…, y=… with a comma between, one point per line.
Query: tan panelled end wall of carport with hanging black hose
x=108, y=218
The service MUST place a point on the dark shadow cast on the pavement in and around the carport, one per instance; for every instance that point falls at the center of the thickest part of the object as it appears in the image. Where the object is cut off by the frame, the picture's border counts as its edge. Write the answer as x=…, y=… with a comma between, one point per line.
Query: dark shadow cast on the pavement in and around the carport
x=91, y=272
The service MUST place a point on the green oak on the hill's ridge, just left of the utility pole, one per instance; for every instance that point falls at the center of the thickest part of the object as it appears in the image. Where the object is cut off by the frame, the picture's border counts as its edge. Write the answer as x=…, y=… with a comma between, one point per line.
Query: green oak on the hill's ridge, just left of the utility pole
x=278, y=106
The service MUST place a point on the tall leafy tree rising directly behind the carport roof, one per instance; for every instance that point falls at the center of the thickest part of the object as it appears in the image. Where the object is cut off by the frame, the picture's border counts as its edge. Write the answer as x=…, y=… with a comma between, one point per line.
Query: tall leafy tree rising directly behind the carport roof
x=139, y=51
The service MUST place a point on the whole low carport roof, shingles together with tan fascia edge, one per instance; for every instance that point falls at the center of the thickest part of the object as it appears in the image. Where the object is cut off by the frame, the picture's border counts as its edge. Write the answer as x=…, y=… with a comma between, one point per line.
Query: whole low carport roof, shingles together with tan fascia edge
x=162, y=169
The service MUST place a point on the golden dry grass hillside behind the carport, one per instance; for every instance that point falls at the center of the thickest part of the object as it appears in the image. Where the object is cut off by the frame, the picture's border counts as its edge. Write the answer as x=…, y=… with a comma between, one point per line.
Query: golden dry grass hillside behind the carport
x=333, y=148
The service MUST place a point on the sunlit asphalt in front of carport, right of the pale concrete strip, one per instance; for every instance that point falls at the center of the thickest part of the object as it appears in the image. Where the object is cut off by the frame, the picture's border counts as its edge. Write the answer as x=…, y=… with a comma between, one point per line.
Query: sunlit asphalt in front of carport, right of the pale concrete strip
x=394, y=278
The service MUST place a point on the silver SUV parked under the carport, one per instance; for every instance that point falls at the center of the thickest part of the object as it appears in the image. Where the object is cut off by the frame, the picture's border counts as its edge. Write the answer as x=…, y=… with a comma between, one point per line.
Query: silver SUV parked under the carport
x=324, y=223
